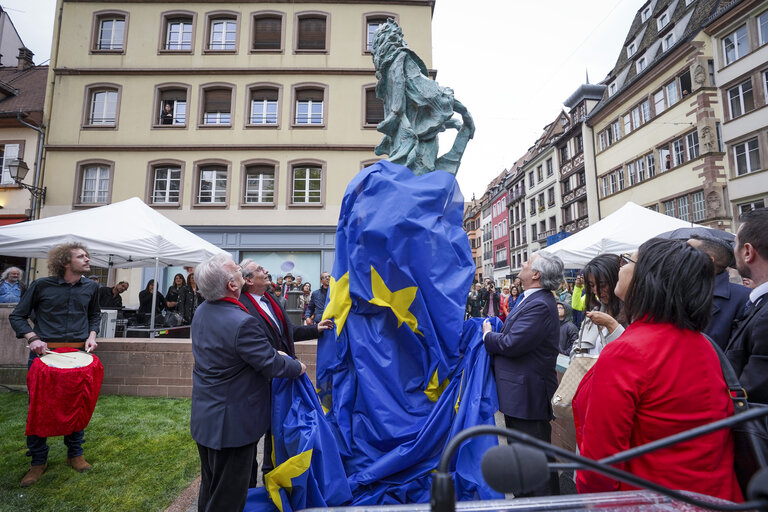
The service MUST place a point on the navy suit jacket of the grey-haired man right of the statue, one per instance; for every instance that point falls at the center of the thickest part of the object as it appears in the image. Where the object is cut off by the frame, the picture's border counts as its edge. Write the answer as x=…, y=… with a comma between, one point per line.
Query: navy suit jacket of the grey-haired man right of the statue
x=525, y=356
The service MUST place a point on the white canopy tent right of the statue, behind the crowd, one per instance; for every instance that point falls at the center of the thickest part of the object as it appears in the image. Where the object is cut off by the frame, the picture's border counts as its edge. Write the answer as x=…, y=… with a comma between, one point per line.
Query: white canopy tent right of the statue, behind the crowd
x=622, y=231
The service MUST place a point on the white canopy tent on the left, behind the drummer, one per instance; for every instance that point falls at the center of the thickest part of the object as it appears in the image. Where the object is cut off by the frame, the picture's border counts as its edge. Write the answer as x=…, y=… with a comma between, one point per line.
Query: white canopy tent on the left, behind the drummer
x=124, y=235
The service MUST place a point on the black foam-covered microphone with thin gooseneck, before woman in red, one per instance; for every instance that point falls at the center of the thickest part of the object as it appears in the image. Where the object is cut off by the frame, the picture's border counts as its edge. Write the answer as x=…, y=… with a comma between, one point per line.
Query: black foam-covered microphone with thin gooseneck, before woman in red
x=507, y=469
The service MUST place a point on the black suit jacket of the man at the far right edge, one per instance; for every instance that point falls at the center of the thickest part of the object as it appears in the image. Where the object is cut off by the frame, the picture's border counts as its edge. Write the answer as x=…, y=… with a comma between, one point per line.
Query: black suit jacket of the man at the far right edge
x=748, y=352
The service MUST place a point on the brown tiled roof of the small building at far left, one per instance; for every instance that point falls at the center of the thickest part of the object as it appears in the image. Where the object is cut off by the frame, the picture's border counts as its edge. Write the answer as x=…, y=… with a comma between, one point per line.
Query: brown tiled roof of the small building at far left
x=24, y=89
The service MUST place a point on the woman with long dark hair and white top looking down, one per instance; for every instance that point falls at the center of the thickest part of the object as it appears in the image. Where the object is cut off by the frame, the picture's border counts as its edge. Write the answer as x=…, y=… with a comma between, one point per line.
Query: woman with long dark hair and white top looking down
x=605, y=320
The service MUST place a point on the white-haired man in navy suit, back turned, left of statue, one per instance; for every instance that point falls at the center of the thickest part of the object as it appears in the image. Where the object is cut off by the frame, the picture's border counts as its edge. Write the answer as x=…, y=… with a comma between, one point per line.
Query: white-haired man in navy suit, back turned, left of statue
x=234, y=362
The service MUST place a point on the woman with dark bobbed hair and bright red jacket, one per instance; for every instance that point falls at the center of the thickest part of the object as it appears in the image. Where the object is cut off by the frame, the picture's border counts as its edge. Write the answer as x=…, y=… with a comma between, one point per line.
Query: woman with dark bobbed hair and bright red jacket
x=661, y=377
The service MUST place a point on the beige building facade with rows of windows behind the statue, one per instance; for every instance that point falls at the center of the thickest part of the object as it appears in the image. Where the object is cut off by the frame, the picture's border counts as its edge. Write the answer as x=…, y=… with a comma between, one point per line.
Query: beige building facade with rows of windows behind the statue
x=242, y=121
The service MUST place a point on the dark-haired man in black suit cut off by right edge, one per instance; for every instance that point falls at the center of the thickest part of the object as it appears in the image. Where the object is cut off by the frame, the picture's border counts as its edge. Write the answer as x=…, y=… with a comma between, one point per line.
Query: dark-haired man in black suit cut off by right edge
x=747, y=349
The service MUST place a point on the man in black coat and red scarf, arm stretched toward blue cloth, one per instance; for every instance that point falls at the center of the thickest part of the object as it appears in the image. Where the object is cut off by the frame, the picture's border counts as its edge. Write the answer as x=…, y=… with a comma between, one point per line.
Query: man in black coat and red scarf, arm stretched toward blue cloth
x=280, y=332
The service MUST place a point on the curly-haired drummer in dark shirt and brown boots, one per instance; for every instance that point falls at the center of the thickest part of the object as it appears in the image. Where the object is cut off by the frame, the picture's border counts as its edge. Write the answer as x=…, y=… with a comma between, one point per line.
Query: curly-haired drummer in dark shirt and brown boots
x=66, y=314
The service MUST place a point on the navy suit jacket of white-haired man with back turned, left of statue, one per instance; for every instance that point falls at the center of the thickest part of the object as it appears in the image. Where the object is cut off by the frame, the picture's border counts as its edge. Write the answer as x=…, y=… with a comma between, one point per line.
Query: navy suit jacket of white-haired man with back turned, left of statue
x=234, y=363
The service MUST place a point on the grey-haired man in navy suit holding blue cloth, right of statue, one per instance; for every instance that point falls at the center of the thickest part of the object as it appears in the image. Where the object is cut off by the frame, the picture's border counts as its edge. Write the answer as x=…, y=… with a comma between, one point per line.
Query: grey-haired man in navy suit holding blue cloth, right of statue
x=525, y=354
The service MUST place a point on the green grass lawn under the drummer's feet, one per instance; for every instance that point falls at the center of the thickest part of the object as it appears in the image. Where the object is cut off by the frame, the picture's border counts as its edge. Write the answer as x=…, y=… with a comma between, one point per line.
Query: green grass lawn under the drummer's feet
x=141, y=451
